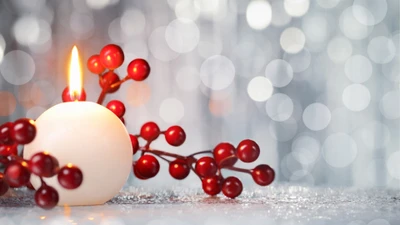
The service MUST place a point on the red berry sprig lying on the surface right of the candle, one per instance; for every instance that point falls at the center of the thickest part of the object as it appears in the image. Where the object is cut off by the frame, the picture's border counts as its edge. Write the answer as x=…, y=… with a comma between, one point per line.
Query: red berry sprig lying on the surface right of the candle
x=207, y=168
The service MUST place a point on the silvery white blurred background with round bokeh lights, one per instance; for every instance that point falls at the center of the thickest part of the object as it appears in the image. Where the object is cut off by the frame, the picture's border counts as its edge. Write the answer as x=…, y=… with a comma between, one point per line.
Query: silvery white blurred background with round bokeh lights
x=314, y=82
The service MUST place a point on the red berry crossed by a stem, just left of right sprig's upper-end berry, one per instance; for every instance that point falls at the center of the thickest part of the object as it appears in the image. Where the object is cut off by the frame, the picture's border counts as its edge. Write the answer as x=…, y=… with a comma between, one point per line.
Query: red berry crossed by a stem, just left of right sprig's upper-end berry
x=225, y=155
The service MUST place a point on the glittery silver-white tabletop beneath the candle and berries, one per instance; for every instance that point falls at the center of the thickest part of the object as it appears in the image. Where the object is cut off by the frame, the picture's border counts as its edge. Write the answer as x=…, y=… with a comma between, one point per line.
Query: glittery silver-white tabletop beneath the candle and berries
x=286, y=205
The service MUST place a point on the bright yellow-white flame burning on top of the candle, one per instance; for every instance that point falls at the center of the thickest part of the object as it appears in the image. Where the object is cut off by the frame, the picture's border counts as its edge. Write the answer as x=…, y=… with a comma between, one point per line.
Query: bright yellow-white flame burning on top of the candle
x=75, y=74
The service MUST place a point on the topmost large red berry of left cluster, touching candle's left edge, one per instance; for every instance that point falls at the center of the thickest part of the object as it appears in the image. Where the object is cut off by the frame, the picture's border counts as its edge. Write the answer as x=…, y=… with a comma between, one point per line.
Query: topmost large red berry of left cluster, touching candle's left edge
x=23, y=131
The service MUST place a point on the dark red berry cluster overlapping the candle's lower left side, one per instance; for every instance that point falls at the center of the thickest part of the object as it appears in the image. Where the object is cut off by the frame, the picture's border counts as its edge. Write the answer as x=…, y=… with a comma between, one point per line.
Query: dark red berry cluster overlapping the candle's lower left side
x=18, y=171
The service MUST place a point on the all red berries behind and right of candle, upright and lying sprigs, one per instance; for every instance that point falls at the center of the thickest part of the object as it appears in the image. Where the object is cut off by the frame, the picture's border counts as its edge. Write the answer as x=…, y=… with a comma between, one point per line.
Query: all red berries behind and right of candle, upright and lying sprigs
x=207, y=168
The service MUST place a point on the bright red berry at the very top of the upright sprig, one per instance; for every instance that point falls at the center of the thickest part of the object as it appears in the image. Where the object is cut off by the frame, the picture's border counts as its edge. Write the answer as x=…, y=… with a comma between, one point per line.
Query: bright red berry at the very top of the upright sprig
x=111, y=56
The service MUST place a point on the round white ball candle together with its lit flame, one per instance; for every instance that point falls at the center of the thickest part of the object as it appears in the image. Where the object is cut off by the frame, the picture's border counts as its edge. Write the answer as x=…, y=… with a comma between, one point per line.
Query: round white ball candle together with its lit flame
x=89, y=136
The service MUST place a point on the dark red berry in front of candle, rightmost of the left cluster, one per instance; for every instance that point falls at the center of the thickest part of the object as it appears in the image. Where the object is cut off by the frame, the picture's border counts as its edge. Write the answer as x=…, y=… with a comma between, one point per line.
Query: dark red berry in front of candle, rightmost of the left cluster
x=70, y=176
